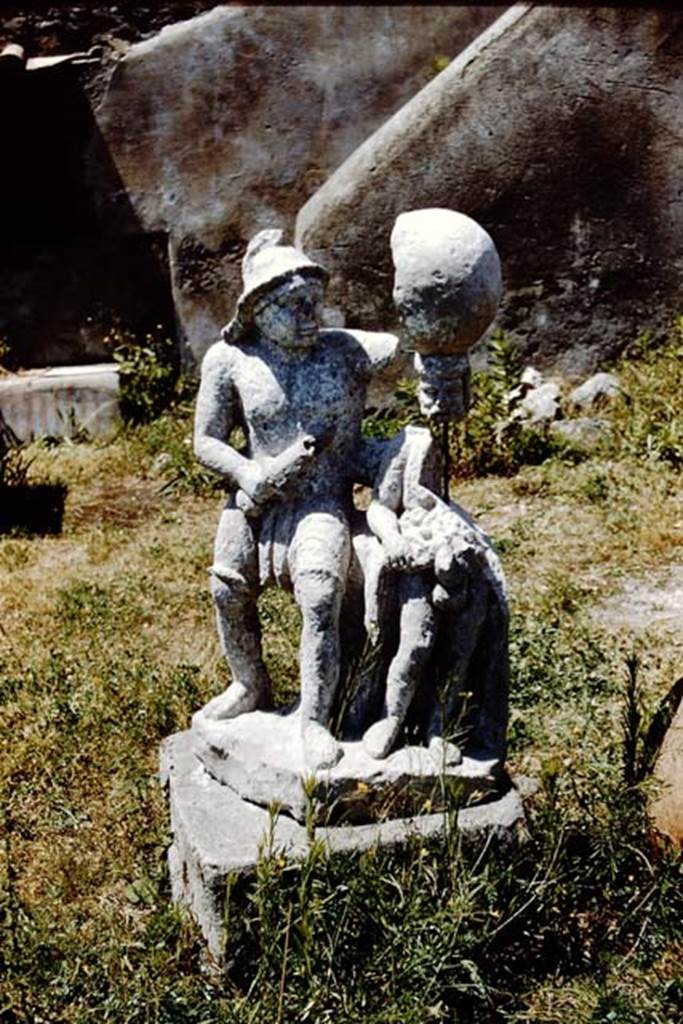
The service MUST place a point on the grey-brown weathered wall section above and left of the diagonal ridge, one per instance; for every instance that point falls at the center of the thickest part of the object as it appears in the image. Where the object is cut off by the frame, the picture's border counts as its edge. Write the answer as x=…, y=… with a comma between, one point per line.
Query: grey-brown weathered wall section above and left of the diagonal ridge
x=226, y=124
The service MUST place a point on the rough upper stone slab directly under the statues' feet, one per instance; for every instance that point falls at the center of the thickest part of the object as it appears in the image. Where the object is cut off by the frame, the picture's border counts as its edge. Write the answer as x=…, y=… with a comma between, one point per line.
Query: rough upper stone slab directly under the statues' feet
x=260, y=756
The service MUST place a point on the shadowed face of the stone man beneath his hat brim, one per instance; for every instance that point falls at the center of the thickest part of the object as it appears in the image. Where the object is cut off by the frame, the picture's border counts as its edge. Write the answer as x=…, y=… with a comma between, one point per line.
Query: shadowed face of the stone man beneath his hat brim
x=291, y=315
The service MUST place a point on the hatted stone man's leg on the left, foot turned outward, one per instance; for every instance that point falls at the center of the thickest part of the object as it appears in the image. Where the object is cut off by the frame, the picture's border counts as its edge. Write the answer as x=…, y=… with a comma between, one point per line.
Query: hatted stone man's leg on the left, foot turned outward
x=235, y=589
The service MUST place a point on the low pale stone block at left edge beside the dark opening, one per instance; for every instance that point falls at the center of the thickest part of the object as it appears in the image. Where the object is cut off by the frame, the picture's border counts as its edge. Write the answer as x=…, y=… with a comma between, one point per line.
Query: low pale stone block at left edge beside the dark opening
x=62, y=402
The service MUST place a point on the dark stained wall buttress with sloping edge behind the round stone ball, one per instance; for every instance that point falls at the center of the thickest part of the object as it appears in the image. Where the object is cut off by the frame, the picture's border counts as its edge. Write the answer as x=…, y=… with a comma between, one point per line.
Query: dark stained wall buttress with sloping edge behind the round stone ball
x=558, y=131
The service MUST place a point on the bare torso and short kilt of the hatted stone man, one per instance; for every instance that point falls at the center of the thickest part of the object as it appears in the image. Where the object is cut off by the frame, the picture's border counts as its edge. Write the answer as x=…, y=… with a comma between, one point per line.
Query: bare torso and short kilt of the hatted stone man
x=306, y=530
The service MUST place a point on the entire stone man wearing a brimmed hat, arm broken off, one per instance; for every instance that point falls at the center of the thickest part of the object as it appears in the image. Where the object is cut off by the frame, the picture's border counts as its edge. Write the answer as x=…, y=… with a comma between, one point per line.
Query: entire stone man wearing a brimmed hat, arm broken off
x=298, y=394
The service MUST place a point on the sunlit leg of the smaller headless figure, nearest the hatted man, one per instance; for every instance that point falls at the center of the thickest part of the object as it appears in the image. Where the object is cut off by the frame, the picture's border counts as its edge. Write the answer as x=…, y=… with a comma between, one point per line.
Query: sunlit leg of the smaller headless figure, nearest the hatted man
x=418, y=633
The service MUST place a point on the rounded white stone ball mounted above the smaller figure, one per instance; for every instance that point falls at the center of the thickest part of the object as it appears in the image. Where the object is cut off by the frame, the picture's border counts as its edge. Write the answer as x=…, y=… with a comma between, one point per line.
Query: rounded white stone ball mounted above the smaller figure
x=448, y=281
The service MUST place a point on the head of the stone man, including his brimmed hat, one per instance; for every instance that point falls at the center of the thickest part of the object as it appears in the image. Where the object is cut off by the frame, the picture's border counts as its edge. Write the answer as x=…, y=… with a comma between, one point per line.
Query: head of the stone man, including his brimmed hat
x=282, y=300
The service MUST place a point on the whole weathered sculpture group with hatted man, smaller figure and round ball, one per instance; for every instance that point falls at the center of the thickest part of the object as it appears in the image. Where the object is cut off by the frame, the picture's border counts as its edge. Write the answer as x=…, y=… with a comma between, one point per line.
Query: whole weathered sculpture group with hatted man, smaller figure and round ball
x=424, y=579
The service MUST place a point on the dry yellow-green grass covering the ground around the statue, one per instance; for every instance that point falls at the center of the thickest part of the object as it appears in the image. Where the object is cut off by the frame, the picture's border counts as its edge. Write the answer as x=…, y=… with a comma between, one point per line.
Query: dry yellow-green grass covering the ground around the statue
x=108, y=645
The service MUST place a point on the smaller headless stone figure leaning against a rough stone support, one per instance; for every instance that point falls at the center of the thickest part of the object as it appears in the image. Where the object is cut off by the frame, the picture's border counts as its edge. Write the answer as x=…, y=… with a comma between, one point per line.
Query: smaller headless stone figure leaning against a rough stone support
x=430, y=569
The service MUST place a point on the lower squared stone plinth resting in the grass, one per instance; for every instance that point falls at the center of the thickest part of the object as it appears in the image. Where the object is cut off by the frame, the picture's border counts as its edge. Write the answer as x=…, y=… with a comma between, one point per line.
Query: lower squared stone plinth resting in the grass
x=218, y=835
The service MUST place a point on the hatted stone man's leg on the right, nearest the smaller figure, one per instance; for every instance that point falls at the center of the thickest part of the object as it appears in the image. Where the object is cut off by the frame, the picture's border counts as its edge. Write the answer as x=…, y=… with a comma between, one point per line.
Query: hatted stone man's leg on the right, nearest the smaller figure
x=320, y=560
